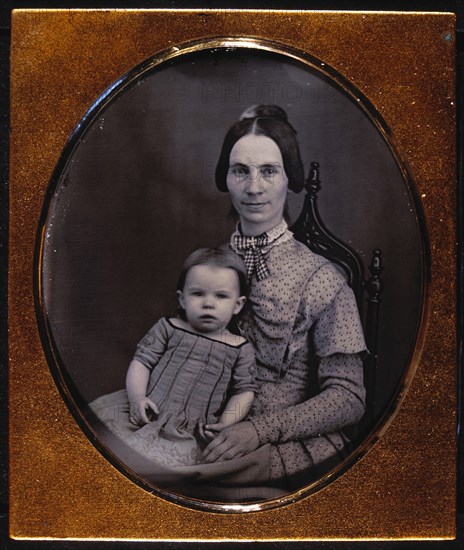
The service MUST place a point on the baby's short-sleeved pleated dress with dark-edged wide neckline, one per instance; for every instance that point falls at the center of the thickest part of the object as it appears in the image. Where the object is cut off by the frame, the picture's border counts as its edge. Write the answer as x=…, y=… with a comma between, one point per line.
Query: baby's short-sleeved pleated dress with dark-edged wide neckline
x=192, y=376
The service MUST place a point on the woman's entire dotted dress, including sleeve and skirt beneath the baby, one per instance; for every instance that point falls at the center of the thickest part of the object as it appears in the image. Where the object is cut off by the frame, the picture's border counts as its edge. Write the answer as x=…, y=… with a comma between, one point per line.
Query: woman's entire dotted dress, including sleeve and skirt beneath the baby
x=304, y=325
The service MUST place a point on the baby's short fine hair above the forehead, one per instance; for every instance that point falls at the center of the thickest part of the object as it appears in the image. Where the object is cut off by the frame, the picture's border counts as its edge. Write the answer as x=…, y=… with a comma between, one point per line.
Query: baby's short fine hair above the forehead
x=217, y=257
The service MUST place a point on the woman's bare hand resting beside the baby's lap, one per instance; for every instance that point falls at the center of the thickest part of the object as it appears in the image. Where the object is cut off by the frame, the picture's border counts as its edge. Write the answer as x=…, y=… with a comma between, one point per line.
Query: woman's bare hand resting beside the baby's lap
x=230, y=442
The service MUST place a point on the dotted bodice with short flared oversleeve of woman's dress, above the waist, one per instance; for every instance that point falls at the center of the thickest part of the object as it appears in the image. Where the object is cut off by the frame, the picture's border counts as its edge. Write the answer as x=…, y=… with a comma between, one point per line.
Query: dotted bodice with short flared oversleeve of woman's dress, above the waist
x=304, y=304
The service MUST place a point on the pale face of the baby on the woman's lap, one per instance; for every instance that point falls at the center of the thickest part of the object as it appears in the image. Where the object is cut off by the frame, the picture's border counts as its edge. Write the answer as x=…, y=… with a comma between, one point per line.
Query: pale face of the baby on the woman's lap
x=211, y=296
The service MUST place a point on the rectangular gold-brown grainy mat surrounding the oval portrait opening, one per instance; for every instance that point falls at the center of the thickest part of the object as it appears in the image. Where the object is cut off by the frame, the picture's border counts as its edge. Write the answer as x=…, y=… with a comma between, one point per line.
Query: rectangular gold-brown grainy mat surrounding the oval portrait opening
x=409, y=472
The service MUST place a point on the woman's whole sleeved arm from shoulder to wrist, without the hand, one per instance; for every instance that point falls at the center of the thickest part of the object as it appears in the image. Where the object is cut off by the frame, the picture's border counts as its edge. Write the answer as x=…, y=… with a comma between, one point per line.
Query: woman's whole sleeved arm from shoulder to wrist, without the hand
x=337, y=338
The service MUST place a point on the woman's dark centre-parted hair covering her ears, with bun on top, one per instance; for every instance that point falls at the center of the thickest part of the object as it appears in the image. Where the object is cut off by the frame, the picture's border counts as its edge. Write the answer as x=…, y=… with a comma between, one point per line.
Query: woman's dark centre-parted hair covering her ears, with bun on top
x=270, y=121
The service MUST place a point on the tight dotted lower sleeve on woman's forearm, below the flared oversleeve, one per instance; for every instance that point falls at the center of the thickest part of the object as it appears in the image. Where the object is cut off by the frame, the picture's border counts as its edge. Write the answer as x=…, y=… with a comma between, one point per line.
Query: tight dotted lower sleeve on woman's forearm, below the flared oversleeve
x=340, y=403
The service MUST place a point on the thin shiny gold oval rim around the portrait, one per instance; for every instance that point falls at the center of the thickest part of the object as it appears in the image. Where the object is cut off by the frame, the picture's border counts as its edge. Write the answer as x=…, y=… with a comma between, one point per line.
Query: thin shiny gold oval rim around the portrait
x=56, y=363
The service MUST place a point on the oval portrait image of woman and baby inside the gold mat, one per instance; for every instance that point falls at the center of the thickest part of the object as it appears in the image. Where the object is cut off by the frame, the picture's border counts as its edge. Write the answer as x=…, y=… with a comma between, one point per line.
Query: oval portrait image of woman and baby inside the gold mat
x=140, y=230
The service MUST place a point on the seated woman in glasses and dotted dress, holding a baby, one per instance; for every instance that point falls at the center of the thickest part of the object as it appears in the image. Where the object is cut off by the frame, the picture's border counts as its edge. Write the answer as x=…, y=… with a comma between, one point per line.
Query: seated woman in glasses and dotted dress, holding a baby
x=301, y=315
